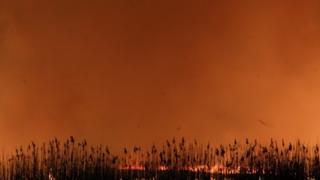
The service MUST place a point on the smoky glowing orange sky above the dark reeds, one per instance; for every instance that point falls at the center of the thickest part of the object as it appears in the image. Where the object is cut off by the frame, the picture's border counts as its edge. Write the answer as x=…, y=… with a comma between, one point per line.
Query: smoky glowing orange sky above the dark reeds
x=123, y=72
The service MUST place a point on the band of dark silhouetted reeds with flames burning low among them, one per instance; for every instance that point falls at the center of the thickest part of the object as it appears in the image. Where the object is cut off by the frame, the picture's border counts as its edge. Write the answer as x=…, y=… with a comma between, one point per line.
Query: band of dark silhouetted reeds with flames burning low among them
x=73, y=160
